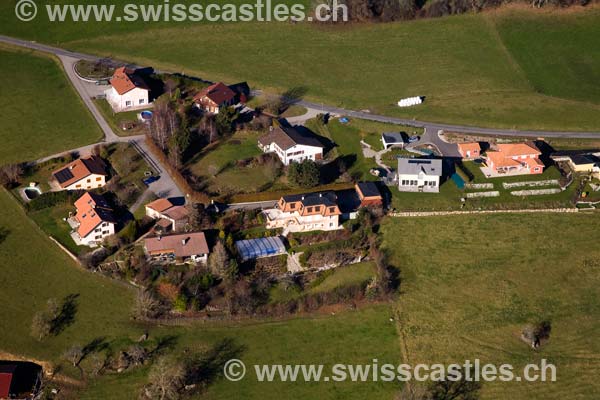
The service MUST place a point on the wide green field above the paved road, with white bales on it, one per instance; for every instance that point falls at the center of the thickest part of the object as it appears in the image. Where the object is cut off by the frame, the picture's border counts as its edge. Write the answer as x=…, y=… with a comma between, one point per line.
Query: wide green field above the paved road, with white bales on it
x=514, y=67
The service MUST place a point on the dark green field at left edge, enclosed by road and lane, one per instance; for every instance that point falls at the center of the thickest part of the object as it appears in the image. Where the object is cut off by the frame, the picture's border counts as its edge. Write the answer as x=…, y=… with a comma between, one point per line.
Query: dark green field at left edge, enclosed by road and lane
x=41, y=112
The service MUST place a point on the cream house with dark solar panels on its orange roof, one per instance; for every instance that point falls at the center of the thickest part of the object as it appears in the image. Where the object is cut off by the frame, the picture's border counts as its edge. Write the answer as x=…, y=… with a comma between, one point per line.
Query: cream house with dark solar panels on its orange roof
x=84, y=173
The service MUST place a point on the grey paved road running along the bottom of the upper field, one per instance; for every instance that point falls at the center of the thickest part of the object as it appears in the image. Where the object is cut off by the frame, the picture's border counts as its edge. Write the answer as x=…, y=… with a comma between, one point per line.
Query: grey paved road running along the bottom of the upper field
x=356, y=114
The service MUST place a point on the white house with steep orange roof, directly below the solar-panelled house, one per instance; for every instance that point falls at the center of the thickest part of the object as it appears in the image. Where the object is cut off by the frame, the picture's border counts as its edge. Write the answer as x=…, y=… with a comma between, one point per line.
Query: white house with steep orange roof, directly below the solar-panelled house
x=94, y=220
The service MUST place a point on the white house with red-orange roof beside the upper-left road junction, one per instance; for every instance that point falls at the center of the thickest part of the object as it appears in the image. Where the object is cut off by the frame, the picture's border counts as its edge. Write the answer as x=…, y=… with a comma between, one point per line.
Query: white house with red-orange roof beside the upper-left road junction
x=128, y=91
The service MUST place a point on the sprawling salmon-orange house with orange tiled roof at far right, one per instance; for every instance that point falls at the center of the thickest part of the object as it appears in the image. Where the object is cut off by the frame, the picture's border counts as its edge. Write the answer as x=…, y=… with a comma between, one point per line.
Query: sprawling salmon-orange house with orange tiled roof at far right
x=513, y=159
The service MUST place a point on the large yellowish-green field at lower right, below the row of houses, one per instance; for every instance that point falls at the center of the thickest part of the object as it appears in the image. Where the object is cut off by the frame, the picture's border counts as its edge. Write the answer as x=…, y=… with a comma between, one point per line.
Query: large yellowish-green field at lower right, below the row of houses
x=471, y=283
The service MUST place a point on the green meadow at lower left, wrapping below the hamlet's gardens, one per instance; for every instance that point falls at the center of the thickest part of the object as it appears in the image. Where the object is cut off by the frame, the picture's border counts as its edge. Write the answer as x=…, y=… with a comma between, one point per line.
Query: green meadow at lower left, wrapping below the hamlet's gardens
x=34, y=269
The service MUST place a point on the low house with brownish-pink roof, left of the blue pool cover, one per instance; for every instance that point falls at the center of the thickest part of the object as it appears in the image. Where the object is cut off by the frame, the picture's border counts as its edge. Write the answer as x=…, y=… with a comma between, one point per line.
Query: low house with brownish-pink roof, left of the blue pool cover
x=181, y=247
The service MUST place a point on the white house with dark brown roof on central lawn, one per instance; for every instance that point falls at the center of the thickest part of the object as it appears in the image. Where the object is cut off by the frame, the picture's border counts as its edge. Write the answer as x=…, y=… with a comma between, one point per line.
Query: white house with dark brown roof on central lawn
x=291, y=145
